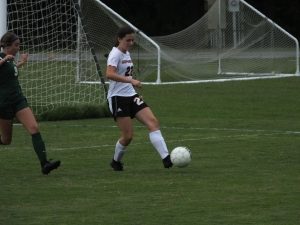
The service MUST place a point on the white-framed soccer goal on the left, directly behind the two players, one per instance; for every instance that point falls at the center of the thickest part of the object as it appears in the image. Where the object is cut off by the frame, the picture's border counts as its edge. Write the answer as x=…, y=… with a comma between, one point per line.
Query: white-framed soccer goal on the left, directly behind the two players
x=68, y=42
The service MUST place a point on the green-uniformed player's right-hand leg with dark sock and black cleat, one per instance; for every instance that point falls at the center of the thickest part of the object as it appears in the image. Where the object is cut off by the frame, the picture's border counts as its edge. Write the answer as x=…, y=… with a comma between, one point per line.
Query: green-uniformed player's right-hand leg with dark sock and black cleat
x=26, y=117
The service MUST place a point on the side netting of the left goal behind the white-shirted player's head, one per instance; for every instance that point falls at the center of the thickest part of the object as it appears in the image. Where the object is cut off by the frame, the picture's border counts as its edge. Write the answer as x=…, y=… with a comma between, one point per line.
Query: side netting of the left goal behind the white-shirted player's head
x=102, y=25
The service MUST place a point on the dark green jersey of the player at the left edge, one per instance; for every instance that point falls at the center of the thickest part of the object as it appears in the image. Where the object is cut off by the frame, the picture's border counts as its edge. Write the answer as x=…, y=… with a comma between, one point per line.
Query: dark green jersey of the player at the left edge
x=9, y=83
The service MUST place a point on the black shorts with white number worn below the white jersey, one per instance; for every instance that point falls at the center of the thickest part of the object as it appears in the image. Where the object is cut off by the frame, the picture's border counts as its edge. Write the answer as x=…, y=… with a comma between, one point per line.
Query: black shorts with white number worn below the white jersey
x=126, y=106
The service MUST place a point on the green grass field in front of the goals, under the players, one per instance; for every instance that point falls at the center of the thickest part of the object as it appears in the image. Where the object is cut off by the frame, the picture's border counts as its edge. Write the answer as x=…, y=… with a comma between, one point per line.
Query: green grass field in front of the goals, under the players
x=245, y=169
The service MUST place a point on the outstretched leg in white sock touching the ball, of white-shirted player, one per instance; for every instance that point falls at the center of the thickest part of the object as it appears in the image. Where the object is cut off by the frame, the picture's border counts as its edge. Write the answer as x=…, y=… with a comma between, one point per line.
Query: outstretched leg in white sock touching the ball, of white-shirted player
x=147, y=117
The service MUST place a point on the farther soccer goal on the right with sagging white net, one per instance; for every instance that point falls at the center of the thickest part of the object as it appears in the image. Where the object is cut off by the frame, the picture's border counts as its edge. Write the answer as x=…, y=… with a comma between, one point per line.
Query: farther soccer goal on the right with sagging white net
x=231, y=41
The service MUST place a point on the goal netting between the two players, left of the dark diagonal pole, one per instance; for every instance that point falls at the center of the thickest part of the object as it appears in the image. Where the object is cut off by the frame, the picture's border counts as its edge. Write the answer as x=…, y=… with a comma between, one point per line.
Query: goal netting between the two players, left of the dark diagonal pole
x=60, y=59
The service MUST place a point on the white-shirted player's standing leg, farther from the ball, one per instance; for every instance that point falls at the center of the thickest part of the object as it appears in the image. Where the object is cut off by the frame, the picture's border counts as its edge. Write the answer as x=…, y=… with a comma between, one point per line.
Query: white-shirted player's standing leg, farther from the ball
x=126, y=128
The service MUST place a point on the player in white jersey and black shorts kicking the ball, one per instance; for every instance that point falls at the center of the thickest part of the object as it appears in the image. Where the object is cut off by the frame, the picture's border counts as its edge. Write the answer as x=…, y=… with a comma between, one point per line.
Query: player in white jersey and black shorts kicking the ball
x=124, y=102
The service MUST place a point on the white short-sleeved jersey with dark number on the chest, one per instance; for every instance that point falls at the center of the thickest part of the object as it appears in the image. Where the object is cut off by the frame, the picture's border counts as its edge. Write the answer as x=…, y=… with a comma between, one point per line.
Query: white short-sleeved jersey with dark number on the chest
x=123, y=63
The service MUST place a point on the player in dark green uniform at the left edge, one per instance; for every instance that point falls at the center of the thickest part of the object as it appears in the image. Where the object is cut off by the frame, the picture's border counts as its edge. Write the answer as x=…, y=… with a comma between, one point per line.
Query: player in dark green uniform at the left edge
x=14, y=104
